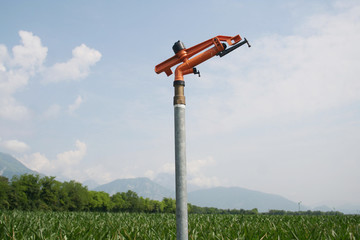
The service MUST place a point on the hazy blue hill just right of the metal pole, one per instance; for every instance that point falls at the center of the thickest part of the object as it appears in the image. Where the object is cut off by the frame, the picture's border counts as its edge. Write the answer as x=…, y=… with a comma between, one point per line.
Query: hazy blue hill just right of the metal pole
x=240, y=198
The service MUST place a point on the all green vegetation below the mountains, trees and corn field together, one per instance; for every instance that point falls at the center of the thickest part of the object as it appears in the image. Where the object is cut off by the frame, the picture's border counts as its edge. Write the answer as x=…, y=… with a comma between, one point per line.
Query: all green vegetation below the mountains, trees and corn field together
x=32, y=207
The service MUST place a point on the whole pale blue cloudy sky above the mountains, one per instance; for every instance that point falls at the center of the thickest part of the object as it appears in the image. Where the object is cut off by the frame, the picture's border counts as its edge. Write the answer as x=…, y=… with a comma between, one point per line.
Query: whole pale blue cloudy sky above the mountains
x=79, y=98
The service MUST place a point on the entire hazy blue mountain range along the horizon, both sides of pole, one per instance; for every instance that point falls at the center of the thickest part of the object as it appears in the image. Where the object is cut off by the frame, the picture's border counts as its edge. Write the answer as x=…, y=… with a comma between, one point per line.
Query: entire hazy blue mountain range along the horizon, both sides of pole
x=163, y=186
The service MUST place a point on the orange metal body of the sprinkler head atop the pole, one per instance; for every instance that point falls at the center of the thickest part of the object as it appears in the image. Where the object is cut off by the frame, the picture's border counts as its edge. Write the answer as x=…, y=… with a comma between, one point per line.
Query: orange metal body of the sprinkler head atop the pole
x=188, y=58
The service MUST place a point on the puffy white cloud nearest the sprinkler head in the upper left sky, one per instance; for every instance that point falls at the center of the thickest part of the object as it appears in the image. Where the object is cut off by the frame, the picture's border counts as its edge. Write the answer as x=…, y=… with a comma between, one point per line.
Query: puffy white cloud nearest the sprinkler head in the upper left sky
x=78, y=67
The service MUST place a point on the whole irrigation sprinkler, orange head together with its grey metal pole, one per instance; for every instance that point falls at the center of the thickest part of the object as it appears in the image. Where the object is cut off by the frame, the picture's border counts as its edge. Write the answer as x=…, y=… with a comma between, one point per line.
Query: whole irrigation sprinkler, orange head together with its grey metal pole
x=190, y=58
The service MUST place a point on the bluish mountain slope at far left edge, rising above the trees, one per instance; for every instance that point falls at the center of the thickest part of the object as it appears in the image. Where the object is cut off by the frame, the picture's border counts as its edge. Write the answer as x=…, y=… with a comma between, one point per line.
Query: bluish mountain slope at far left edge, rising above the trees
x=10, y=166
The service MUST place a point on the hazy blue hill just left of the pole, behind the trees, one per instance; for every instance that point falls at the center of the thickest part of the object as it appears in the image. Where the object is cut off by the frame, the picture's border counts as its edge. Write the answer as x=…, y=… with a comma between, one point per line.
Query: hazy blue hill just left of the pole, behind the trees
x=144, y=187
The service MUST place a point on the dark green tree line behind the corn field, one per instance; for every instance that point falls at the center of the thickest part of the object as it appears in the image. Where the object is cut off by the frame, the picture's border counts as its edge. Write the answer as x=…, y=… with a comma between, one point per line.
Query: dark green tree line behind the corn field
x=31, y=192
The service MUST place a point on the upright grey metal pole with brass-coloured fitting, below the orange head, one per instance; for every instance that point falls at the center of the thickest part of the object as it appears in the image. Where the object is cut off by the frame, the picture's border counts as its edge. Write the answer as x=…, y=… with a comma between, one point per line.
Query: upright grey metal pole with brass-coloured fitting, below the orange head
x=180, y=162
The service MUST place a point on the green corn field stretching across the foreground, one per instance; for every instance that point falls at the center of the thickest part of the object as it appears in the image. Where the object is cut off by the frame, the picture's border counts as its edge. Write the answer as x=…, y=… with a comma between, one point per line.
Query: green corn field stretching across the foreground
x=87, y=225
